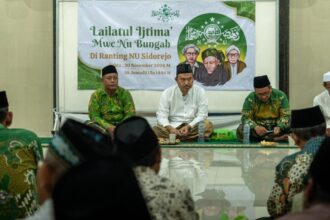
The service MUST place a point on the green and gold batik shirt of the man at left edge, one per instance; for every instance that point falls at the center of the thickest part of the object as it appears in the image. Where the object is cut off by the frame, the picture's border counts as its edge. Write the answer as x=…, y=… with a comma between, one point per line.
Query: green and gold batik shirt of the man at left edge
x=20, y=151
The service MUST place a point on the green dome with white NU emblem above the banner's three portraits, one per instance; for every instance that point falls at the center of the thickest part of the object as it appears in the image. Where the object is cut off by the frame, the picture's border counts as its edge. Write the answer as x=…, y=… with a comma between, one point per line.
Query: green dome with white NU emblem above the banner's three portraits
x=212, y=30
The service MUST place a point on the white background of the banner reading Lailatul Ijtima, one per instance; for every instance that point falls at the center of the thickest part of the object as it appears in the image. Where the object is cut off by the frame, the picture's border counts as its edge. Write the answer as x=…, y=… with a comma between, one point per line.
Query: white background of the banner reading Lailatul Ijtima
x=133, y=14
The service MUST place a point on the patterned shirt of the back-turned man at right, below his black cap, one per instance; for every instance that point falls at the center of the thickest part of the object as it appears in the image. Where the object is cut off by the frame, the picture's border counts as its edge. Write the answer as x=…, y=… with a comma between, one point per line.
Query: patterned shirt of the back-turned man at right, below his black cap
x=290, y=175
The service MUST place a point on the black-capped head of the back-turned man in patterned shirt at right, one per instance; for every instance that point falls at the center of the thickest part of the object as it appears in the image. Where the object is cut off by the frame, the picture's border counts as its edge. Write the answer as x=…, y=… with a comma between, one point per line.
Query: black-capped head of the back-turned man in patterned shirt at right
x=308, y=123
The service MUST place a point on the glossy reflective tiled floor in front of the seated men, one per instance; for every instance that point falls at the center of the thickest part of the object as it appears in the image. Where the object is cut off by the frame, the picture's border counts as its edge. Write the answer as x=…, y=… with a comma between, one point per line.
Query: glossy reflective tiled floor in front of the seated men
x=235, y=180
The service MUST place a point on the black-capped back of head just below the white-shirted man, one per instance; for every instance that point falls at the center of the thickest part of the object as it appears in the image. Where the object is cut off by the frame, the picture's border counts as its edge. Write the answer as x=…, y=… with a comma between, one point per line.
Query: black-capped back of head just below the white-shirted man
x=136, y=141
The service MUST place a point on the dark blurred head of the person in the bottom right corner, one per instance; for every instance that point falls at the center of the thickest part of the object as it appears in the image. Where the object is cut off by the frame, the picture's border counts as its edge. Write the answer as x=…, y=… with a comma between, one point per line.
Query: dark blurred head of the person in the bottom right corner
x=318, y=172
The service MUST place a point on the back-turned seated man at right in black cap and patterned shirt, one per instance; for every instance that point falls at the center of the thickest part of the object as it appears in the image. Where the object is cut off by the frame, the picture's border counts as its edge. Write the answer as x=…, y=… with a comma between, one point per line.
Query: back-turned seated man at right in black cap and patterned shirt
x=308, y=129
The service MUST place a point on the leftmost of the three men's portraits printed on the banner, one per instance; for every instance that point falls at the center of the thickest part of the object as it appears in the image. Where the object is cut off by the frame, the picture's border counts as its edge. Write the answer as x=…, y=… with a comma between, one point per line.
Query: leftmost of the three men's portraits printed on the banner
x=191, y=52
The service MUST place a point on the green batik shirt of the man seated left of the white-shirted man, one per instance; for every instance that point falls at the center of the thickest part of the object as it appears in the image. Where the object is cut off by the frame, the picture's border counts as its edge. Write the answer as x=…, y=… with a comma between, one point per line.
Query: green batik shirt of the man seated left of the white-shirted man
x=108, y=110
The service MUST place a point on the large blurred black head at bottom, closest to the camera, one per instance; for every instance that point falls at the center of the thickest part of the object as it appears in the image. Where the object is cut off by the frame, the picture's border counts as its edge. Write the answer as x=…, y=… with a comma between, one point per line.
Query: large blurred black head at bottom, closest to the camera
x=103, y=189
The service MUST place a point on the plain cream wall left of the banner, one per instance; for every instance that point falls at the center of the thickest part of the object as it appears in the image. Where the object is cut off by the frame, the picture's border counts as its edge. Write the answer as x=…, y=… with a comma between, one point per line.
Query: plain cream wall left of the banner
x=27, y=62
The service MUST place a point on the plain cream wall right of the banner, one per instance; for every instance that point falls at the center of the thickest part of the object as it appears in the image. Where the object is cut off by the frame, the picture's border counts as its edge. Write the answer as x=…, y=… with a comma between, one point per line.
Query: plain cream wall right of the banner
x=309, y=46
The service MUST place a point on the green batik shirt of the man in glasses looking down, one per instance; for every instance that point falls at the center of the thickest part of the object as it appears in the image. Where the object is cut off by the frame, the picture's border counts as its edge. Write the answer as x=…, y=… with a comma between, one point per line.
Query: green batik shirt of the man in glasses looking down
x=274, y=112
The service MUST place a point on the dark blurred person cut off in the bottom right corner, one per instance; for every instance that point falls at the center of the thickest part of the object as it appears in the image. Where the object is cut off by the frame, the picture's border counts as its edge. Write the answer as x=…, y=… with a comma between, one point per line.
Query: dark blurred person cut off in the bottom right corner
x=317, y=191
